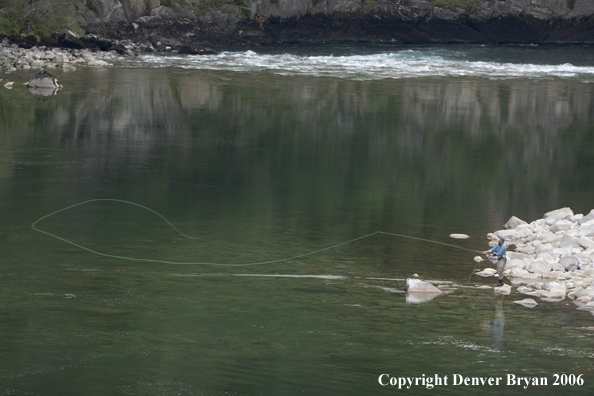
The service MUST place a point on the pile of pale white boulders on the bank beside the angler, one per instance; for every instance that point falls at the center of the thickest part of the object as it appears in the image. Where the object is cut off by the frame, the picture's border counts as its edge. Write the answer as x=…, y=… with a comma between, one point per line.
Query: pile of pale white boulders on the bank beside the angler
x=553, y=258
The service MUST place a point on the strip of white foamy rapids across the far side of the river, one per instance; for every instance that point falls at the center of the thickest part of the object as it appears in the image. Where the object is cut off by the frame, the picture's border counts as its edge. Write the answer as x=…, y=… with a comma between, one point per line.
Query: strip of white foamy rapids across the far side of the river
x=375, y=66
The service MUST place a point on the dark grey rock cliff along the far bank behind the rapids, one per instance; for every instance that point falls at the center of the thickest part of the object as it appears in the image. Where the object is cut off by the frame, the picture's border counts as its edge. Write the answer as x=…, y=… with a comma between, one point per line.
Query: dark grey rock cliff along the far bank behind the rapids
x=238, y=22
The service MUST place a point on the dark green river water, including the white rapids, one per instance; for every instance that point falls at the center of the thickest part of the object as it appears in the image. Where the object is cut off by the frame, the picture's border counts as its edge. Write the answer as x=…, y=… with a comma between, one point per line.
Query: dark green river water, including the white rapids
x=207, y=225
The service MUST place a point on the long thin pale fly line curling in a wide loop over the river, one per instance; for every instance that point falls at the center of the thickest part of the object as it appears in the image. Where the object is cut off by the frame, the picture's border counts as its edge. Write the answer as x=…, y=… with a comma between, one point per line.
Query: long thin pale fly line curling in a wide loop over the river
x=174, y=228
